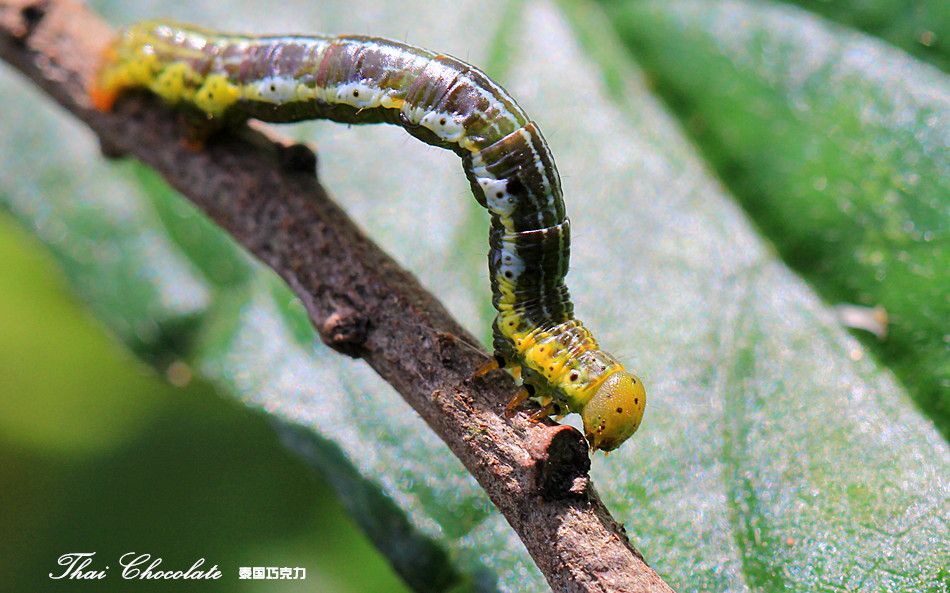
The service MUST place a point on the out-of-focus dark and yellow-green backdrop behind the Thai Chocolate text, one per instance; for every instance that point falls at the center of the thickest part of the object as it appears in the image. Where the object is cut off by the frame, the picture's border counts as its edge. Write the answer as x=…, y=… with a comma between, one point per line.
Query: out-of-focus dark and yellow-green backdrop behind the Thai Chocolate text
x=100, y=454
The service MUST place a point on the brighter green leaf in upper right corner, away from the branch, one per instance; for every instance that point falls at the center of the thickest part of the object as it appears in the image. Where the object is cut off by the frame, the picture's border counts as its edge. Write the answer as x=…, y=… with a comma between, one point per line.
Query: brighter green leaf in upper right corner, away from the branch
x=836, y=144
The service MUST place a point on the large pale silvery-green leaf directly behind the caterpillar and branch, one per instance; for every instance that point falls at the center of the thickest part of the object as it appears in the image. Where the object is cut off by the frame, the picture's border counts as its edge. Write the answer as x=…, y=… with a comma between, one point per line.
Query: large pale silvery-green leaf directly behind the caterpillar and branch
x=776, y=453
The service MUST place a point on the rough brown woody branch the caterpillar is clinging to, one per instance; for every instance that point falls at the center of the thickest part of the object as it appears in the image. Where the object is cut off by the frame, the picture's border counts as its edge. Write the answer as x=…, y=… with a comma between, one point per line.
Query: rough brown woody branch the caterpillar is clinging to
x=266, y=195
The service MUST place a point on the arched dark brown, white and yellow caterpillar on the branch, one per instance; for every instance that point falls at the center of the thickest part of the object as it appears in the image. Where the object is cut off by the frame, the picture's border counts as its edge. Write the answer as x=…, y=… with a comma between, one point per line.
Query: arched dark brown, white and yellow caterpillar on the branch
x=222, y=80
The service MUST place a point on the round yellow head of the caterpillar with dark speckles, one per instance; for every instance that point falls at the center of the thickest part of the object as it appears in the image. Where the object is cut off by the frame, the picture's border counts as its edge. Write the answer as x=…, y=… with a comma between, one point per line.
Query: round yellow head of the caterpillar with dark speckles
x=613, y=414
